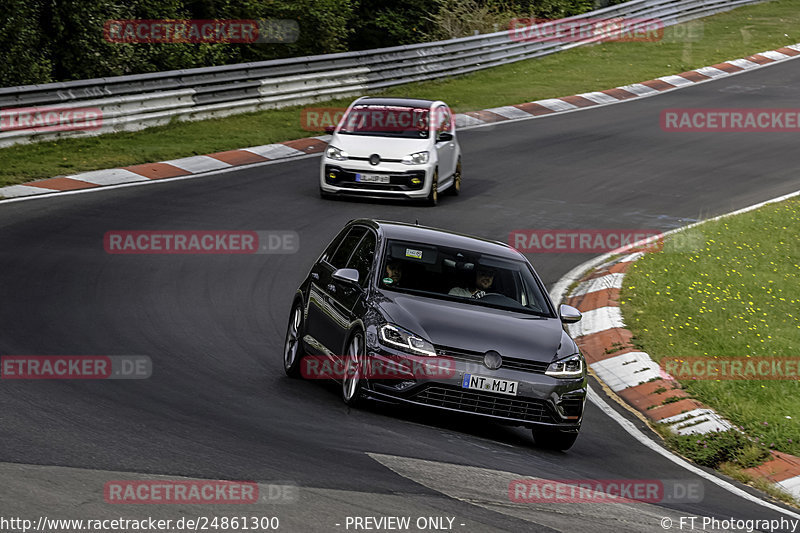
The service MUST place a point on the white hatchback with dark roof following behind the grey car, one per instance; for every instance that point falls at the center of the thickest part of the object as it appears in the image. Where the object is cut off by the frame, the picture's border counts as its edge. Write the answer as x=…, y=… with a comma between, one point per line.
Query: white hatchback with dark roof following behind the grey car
x=393, y=148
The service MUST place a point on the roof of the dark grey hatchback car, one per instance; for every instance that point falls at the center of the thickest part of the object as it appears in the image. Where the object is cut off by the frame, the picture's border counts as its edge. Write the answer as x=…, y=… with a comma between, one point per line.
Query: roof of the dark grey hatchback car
x=440, y=237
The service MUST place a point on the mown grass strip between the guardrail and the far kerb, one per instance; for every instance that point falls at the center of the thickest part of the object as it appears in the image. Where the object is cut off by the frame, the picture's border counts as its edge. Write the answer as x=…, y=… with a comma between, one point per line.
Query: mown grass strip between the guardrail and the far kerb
x=730, y=35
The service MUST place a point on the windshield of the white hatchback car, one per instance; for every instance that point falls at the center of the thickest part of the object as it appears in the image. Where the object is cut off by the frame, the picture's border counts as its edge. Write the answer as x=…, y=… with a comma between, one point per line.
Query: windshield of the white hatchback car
x=387, y=121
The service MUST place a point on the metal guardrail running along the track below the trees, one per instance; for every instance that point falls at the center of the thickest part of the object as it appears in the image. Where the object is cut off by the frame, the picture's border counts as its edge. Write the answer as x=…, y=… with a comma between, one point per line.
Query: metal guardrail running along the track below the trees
x=134, y=102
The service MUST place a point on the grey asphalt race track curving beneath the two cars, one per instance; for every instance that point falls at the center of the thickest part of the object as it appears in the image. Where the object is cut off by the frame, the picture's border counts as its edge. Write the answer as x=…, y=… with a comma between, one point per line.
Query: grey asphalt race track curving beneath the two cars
x=218, y=405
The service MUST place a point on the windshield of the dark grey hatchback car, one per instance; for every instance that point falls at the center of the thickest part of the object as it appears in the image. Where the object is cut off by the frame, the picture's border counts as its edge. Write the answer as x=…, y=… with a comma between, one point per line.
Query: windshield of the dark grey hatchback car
x=455, y=274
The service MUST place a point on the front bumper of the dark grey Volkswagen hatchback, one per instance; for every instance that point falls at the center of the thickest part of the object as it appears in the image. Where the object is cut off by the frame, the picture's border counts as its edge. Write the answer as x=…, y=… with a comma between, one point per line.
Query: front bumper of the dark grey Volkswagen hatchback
x=542, y=401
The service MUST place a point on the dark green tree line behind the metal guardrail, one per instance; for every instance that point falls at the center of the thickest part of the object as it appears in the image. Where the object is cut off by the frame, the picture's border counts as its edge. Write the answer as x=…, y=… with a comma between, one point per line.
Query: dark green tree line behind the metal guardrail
x=44, y=41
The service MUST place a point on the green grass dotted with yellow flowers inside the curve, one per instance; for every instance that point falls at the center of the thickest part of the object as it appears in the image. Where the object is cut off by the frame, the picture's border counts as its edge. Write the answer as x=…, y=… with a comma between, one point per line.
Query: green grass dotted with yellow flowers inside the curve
x=728, y=288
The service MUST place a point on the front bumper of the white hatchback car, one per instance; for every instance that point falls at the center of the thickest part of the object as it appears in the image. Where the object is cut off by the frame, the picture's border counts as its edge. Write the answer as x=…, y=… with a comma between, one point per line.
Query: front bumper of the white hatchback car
x=405, y=181
